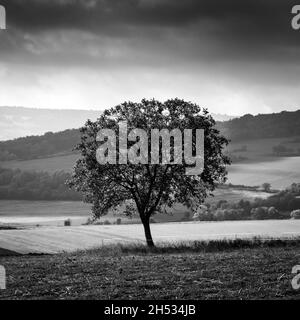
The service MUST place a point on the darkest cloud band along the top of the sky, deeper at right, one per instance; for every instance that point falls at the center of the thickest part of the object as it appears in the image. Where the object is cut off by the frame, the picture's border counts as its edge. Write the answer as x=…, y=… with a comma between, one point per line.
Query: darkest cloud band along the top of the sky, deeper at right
x=238, y=29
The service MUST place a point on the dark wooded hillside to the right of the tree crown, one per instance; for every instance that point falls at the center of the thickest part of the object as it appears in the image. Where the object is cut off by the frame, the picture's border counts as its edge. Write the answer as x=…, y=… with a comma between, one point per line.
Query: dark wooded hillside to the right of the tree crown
x=275, y=125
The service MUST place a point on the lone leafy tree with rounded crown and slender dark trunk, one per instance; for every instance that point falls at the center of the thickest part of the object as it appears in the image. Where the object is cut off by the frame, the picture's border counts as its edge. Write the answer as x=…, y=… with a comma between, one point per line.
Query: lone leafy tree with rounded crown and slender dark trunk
x=151, y=188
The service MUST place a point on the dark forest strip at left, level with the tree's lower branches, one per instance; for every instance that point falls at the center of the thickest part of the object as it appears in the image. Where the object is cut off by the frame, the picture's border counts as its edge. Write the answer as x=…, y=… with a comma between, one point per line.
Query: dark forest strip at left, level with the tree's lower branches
x=28, y=185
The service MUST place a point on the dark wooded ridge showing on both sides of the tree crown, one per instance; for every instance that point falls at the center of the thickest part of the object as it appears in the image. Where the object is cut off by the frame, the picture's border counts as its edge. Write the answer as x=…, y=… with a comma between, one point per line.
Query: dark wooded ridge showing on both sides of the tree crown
x=277, y=125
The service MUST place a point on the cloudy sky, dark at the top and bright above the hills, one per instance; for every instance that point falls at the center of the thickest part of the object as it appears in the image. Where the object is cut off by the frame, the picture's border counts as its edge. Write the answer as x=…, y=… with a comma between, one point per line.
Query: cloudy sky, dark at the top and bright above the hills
x=230, y=56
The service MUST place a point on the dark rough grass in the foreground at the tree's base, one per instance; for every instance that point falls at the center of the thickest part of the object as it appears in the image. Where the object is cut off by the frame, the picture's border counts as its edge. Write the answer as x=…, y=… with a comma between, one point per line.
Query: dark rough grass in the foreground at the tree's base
x=238, y=269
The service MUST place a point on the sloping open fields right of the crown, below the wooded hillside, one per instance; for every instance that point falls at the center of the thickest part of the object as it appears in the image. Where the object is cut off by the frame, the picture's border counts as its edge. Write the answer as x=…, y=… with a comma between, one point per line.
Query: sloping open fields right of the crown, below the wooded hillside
x=260, y=165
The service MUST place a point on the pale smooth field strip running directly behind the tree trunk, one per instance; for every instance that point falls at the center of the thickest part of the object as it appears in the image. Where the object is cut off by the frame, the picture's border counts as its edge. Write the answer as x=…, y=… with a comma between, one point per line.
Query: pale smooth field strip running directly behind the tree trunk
x=68, y=239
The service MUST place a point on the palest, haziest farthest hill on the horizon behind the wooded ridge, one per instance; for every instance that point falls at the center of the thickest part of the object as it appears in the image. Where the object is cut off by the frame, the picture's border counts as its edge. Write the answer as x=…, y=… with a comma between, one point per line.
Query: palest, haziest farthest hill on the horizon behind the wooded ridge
x=18, y=122
